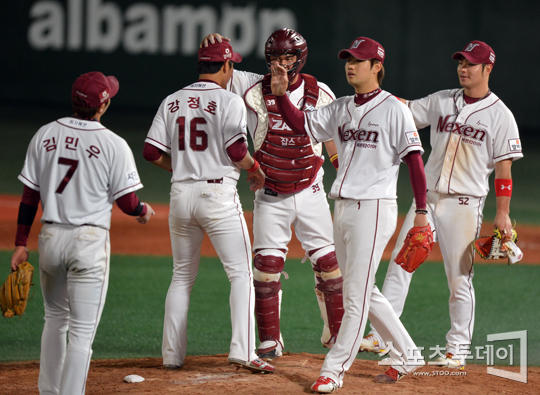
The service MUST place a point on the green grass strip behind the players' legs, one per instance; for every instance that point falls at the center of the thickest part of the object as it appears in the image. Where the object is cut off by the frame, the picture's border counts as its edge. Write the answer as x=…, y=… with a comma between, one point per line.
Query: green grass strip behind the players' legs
x=132, y=320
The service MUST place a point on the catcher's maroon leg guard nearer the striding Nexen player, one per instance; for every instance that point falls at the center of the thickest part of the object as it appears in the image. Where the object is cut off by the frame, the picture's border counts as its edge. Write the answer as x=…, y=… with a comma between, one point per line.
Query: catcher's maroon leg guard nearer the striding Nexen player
x=329, y=284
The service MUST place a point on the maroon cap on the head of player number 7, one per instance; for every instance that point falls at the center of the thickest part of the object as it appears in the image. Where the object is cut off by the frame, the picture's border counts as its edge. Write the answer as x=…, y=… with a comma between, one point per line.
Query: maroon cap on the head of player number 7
x=93, y=89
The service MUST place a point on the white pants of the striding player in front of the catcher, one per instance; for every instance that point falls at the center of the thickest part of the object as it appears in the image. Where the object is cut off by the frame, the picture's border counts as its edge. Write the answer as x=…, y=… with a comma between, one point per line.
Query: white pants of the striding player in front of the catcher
x=362, y=230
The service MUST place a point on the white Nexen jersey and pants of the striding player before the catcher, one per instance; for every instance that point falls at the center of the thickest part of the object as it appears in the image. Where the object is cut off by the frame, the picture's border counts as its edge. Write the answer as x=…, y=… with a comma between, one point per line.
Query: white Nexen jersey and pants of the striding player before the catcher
x=371, y=139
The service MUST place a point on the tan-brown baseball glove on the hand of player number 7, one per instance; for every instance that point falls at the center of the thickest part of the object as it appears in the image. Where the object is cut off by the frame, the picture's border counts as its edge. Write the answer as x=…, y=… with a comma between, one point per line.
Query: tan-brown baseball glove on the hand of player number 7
x=15, y=291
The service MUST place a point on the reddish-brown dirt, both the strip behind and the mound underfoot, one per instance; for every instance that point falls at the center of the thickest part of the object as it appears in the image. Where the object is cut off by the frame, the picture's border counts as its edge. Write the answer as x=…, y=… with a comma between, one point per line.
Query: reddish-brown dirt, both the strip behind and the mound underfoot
x=211, y=374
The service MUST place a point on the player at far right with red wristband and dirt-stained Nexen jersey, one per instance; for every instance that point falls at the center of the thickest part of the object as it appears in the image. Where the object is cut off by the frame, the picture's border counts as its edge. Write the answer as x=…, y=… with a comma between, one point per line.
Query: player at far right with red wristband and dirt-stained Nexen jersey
x=472, y=134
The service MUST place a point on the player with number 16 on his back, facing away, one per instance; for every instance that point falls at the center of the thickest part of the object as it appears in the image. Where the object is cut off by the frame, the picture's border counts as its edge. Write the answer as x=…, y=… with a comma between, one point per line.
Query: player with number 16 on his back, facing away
x=203, y=129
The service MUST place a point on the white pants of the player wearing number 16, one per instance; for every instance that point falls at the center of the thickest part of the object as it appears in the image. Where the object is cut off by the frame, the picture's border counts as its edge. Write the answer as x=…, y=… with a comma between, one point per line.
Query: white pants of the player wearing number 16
x=196, y=208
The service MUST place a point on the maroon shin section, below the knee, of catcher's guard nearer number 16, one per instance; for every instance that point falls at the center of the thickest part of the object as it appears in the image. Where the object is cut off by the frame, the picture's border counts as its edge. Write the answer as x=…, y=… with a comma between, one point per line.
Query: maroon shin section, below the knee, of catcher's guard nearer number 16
x=267, y=306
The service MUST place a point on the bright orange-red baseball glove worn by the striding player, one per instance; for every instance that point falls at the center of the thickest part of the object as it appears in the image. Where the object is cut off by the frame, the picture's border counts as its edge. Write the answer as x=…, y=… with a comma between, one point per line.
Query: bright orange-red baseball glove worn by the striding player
x=416, y=248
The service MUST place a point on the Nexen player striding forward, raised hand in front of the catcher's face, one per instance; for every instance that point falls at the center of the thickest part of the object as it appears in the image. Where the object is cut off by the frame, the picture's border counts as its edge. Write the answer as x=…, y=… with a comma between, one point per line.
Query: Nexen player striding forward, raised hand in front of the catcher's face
x=373, y=132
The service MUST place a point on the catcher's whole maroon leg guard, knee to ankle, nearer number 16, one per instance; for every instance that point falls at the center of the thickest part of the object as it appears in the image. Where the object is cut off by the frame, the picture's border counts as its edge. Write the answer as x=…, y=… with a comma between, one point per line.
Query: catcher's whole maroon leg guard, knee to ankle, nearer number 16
x=266, y=276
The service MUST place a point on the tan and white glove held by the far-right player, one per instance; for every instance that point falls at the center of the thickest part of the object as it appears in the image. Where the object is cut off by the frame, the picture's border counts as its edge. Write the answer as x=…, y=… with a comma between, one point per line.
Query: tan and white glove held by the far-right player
x=498, y=246
